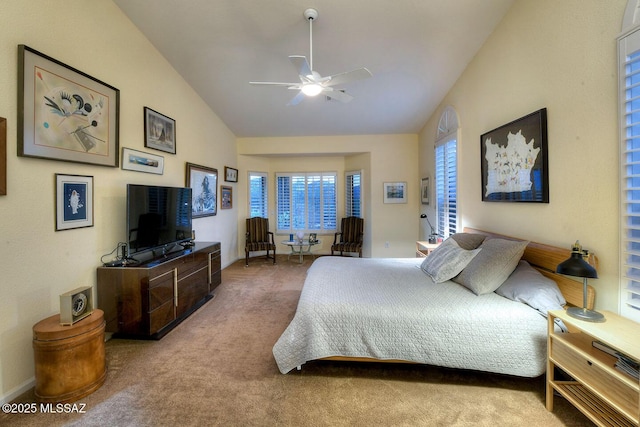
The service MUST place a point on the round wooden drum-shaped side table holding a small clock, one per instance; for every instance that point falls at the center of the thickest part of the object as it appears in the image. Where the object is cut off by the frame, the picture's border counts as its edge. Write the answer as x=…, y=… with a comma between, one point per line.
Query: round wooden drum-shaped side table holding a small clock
x=69, y=360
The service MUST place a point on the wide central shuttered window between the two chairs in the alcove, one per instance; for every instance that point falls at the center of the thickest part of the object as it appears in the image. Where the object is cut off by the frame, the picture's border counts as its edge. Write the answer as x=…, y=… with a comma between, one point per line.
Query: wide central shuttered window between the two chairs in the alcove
x=306, y=202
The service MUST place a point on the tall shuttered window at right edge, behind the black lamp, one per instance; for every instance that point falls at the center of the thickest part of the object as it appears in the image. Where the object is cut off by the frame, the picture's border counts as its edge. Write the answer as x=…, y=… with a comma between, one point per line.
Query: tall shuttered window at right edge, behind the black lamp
x=629, y=74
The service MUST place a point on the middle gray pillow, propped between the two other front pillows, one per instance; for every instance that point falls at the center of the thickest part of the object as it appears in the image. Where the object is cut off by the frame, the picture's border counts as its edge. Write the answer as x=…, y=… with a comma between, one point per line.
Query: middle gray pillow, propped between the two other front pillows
x=496, y=261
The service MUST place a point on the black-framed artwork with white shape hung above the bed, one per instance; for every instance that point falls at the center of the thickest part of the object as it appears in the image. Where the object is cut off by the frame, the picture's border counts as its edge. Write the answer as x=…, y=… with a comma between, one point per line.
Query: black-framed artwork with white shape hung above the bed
x=514, y=161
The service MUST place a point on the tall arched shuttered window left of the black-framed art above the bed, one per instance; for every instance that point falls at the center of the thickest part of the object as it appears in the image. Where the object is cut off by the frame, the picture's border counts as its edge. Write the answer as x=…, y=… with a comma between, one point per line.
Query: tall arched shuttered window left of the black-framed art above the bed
x=446, y=182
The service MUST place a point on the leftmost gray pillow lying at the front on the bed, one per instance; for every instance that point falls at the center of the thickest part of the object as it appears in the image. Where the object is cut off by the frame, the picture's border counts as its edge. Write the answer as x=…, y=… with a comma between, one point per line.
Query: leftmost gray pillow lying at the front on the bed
x=446, y=261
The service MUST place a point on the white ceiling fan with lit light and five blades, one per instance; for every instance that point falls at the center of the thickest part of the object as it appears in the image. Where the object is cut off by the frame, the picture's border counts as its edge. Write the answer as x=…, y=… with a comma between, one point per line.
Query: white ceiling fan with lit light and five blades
x=311, y=82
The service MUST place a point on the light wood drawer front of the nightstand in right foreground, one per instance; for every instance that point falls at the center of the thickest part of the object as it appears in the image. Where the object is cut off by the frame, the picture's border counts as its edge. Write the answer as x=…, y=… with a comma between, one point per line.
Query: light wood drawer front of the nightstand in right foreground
x=589, y=371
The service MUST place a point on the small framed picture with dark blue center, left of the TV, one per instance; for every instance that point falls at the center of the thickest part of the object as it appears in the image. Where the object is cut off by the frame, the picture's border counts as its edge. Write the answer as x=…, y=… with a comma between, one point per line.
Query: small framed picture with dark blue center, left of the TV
x=74, y=201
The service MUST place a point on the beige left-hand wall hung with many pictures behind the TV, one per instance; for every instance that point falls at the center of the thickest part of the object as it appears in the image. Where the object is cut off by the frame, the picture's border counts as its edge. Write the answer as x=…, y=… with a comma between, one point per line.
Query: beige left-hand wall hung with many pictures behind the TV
x=38, y=263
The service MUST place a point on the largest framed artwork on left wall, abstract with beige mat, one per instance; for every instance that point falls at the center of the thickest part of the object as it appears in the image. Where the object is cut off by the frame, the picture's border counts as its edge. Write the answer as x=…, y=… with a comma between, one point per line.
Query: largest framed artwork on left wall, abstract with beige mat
x=65, y=114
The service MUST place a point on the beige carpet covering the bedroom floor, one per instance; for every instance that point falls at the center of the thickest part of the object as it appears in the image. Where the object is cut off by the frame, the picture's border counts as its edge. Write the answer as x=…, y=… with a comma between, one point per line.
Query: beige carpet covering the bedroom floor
x=217, y=368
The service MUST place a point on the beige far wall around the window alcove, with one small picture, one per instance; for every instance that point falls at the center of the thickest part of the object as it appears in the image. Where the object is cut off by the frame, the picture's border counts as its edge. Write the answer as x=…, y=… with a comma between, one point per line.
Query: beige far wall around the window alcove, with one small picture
x=390, y=229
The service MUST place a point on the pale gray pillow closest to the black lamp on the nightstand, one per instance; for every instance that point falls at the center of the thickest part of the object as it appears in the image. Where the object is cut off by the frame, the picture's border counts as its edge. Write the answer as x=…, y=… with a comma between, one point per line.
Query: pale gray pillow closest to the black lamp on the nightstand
x=528, y=285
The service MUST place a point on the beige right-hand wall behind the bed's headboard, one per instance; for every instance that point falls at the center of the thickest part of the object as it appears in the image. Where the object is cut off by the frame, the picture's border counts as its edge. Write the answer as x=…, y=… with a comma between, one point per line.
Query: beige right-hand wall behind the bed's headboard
x=560, y=55
